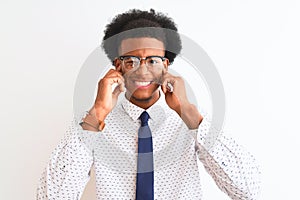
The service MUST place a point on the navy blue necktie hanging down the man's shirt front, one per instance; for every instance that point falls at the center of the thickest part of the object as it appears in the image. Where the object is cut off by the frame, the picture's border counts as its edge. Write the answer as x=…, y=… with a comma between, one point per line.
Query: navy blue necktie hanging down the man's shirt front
x=145, y=174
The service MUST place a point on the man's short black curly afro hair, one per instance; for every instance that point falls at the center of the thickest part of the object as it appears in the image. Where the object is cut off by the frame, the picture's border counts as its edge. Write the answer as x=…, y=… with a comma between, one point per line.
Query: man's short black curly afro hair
x=136, y=23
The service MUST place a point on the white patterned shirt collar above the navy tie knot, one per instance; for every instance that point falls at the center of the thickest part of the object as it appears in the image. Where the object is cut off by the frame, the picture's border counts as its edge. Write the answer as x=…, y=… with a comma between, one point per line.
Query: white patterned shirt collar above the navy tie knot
x=155, y=111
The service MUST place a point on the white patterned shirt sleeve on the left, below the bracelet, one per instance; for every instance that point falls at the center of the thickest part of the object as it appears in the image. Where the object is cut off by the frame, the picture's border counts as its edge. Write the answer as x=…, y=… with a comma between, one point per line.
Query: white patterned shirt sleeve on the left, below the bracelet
x=68, y=170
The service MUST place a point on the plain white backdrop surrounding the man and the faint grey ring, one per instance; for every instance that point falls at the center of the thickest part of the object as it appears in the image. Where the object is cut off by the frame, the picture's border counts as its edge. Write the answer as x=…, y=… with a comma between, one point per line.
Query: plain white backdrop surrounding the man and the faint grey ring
x=254, y=44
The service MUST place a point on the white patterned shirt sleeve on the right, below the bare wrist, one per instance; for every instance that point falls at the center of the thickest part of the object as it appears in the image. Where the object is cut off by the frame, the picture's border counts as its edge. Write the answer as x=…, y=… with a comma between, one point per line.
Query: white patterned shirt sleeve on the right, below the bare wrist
x=232, y=167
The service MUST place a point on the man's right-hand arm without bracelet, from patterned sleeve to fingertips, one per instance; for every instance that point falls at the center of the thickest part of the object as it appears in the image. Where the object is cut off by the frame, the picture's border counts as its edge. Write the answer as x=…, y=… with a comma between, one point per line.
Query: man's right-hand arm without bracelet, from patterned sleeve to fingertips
x=232, y=167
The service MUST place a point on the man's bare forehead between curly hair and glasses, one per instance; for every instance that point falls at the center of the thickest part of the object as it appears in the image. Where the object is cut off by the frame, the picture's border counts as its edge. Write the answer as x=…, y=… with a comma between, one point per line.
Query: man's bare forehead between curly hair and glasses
x=143, y=44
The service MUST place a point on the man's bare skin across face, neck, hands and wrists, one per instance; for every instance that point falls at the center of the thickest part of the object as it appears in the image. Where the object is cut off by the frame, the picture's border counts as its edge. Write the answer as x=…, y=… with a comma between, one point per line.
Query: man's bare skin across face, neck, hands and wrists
x=142, y=85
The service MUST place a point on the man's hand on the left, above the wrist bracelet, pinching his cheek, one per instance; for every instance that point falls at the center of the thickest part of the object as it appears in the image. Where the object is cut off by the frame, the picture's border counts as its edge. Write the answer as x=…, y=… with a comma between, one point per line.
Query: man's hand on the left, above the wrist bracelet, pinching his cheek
x=106, y=98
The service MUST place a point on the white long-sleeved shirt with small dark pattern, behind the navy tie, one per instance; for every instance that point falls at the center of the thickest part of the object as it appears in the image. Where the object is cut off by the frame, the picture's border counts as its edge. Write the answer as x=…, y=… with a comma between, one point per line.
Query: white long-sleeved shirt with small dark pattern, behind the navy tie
x=113, y=152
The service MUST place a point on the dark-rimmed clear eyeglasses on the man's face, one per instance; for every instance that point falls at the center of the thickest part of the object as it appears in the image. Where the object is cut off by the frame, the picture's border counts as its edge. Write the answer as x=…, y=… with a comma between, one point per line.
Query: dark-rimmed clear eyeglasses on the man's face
x=152, y=62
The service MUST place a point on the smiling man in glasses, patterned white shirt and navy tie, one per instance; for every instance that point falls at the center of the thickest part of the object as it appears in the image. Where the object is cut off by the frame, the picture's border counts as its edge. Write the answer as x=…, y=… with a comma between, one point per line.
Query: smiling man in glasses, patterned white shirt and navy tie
x=146, y=146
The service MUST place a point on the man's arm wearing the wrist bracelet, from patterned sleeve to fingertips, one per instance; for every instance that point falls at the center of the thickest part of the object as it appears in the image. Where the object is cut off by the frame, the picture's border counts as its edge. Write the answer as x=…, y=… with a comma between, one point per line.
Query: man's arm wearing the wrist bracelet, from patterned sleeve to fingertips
x=68, y=170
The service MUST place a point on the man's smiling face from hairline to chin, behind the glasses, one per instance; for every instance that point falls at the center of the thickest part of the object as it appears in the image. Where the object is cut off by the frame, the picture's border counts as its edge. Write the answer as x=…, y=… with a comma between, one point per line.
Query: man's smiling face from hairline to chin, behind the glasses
x=142, y=83
